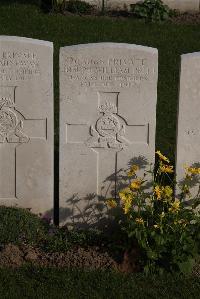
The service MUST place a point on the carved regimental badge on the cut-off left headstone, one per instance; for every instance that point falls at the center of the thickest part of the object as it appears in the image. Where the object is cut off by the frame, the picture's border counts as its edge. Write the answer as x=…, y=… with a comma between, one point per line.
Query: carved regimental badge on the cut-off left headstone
x=11, y=122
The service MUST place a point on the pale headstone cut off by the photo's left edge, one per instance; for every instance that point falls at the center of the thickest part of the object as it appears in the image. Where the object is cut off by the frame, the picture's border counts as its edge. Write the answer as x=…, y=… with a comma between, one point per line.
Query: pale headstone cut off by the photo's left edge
x=26, y=123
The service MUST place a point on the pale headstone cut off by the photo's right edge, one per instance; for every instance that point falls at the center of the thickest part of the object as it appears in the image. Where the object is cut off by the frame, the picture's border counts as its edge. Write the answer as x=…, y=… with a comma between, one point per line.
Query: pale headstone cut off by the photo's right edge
x=188, y=130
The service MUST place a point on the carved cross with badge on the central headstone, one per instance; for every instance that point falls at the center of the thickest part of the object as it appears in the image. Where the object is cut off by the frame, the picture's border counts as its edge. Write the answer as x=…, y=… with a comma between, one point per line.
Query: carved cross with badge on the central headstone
x=108, y=137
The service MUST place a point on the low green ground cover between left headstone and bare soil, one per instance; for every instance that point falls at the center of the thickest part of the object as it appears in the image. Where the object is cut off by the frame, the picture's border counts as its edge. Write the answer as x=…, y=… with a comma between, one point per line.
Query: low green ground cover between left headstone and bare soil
x=19, y=226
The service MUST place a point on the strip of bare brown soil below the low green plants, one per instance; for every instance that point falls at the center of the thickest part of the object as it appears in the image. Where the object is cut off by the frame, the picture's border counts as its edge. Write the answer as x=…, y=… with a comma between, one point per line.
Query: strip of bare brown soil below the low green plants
x=16, y=256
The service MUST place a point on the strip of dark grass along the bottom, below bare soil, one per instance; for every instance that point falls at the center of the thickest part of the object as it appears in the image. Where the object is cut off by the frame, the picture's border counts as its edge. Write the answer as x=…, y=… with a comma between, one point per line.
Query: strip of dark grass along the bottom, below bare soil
x=61, y=283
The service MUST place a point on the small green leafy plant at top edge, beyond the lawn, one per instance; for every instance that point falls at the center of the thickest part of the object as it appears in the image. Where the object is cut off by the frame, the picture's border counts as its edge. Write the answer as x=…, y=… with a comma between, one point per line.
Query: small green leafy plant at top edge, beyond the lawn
x=151, y=10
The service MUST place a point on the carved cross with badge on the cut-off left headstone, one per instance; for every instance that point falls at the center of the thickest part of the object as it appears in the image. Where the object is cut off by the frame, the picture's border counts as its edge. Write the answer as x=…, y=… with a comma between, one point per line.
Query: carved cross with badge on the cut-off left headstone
x=13, y=126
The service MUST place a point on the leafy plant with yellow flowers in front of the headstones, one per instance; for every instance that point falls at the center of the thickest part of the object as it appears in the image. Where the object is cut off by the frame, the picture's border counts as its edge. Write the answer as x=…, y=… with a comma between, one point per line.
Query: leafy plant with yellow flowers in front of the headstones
x=166, y=229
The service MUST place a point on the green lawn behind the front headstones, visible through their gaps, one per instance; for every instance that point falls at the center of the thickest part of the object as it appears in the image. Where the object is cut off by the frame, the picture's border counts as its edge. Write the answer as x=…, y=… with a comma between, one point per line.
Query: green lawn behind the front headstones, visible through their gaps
x=170, y=39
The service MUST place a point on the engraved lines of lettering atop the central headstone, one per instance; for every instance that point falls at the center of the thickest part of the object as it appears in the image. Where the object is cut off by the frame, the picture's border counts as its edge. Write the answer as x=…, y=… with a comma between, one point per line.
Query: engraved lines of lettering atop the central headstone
x=113, y=72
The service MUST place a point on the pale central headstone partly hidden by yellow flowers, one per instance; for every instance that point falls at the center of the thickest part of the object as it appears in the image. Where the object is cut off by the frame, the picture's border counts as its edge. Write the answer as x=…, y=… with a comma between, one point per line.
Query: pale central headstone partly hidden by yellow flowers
x=108, y=98
